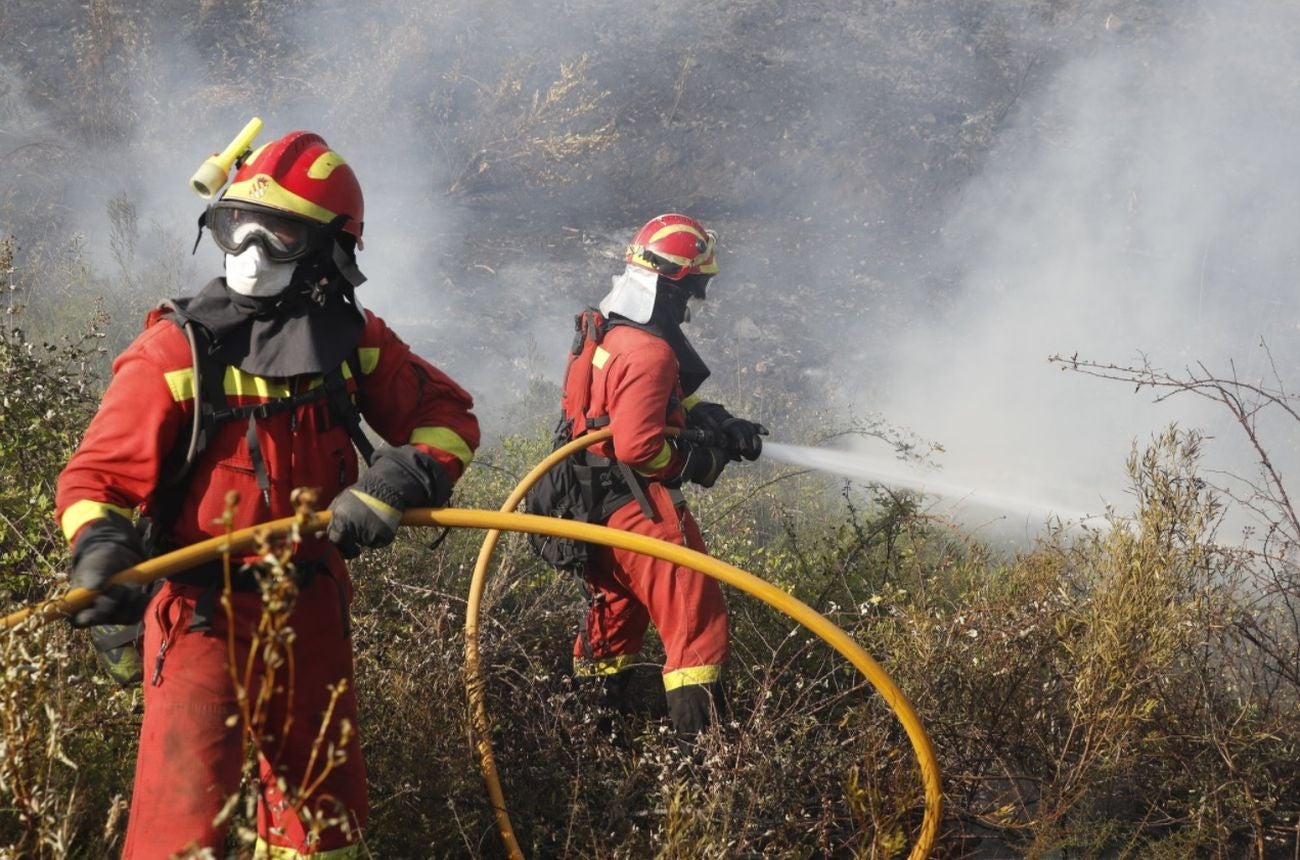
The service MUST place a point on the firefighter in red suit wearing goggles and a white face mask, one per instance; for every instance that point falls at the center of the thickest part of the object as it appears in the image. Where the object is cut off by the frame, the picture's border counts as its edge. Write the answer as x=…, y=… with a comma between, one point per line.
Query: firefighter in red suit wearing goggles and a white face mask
x=283, y=320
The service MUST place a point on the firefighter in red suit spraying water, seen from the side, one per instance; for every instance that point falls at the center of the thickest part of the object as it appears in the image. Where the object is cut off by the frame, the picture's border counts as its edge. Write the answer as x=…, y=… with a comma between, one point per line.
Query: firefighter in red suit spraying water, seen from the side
x=643, y=381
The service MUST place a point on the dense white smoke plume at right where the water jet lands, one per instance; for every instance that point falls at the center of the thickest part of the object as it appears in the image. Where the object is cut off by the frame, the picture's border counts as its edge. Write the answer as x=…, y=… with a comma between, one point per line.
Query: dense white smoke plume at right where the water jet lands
x=1141, y=207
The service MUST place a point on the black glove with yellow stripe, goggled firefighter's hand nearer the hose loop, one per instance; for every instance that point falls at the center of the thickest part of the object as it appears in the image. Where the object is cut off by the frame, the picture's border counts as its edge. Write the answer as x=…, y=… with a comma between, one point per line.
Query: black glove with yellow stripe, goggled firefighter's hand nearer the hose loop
x=367, y=514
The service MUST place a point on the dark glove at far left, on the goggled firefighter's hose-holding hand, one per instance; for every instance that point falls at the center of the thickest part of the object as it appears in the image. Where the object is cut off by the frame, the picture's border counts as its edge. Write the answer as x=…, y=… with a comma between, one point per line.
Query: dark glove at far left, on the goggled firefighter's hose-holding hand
x=106, y=548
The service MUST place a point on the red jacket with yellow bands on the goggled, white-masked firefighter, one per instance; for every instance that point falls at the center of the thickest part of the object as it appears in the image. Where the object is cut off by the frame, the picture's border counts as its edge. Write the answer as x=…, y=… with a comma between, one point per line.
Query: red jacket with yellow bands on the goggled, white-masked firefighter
x=151, y=402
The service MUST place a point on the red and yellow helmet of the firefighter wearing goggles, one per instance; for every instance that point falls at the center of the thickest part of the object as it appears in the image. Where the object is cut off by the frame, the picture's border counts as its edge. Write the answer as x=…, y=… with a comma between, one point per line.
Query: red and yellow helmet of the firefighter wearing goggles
x=302, y=176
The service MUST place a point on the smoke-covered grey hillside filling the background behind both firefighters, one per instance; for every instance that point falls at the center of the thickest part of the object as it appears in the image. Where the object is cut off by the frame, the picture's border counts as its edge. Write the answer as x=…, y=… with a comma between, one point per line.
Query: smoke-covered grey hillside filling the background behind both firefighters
x=918, y=203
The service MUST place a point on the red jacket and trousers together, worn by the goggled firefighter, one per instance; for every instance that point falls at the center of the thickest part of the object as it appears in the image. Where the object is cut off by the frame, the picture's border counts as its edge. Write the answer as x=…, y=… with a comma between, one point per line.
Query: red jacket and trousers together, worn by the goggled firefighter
x=192, y=753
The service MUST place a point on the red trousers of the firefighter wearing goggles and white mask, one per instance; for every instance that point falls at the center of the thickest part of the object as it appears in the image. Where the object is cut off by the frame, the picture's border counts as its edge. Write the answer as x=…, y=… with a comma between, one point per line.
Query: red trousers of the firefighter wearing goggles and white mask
x=196, y=726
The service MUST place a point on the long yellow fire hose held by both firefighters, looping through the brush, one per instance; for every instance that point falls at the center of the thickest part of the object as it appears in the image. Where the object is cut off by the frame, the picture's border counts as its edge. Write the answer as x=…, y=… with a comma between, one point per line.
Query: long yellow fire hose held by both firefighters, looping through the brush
x=500, y=522
